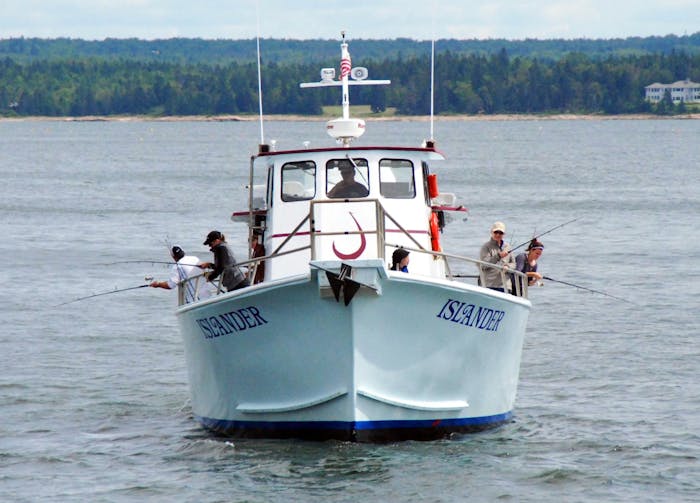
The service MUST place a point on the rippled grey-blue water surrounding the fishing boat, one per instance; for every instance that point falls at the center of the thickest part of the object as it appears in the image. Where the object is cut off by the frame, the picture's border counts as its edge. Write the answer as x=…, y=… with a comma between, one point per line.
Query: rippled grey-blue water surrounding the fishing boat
x=94, y=398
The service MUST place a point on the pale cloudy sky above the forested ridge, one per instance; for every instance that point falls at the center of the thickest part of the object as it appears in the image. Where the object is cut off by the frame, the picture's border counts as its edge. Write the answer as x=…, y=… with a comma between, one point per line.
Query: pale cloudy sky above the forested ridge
x=360, y=19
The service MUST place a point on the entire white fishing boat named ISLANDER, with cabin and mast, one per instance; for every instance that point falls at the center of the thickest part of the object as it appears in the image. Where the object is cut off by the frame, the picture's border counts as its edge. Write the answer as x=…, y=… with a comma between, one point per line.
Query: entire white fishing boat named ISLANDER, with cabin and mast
x=328, y=342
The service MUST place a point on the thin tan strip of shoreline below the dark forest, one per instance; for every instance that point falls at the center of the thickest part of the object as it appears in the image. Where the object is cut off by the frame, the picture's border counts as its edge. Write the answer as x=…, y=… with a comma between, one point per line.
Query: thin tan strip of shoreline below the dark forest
x=318, y=118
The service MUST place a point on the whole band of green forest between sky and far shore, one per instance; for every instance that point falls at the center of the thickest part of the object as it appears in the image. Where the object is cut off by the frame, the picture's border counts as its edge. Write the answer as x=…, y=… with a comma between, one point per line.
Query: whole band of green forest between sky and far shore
x=196, y=77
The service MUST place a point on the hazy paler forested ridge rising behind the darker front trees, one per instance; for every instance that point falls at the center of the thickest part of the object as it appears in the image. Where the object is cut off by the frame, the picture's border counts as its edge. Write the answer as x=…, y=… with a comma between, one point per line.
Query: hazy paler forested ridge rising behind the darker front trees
x=222, y=52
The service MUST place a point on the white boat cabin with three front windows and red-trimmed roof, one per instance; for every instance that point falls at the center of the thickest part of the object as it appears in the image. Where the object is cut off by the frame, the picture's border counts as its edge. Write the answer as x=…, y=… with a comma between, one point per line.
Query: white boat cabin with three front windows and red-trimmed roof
x=340, y=204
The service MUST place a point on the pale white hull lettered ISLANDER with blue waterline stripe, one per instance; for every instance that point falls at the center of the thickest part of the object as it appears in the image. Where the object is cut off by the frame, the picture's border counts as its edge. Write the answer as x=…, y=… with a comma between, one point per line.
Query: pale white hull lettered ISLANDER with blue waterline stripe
x=408, y=357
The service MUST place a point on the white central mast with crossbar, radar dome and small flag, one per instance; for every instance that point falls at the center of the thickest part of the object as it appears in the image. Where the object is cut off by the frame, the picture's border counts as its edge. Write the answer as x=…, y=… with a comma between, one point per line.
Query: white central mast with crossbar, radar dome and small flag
x=345, y=129
